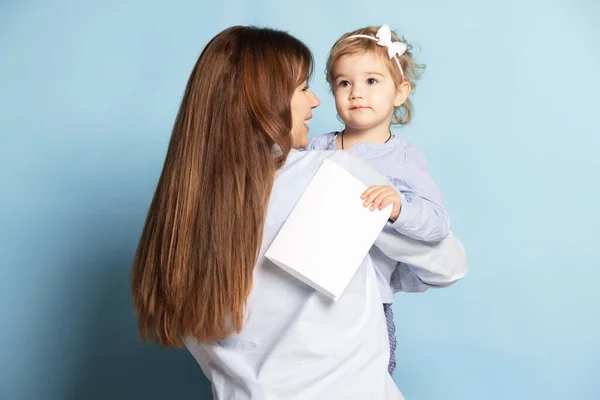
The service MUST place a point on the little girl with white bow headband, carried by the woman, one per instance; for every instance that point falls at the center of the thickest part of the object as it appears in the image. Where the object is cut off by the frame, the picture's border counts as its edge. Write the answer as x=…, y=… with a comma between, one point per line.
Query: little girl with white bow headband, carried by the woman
x=371, y=73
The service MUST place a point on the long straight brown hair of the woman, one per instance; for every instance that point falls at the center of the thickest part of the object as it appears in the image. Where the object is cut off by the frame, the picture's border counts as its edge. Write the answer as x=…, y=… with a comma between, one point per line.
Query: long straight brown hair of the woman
x=192, y=272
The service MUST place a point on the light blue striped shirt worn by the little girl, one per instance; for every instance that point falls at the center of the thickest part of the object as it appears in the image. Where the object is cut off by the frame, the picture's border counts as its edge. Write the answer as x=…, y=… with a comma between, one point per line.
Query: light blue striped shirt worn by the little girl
x=423, y=216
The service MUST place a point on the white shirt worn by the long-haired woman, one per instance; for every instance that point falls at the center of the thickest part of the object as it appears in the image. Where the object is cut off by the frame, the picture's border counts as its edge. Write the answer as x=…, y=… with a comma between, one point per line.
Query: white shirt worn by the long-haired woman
x=296, y=343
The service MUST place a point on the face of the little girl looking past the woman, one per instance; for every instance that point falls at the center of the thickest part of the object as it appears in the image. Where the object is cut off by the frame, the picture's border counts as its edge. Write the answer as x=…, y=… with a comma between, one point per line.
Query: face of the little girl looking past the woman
x=365, y=92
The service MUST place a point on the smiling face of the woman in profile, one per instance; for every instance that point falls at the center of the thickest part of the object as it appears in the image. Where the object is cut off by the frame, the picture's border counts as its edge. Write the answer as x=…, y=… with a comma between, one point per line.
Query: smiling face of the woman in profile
x=303, y=101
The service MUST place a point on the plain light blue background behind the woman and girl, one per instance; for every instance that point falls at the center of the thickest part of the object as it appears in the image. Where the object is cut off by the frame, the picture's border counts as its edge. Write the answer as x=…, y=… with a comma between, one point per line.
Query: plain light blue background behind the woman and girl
x=506, y=114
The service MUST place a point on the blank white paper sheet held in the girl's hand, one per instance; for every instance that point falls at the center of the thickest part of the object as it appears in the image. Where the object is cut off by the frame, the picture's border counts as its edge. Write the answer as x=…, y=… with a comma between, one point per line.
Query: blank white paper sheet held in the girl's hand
x=329, y=232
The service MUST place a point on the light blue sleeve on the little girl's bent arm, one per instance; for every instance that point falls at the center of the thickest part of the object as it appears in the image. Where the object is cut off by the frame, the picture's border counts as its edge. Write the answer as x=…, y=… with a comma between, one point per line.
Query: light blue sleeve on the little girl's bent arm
x=423, y=215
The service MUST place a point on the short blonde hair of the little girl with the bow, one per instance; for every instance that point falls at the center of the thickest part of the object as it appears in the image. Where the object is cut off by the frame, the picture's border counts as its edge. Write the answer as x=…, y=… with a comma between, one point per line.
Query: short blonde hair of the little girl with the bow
x=412, y=71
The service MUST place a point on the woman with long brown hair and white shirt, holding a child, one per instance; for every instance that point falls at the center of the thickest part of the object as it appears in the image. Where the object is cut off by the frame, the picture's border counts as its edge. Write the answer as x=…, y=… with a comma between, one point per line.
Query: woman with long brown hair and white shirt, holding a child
x=230, y=179
